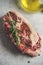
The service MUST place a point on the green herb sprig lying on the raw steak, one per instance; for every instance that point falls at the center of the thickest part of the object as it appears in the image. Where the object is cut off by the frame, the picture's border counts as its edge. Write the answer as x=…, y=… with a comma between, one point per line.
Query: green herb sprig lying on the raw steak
x=14, y=32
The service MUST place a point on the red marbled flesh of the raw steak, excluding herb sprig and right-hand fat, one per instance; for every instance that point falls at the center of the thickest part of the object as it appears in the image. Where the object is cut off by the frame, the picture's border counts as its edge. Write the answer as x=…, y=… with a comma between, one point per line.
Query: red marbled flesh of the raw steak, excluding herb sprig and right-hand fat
x=26, y=46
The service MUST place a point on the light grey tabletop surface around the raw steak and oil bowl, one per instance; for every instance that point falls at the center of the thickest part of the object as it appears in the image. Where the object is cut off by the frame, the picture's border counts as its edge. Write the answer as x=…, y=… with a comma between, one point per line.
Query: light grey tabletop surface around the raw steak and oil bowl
x=9, y=54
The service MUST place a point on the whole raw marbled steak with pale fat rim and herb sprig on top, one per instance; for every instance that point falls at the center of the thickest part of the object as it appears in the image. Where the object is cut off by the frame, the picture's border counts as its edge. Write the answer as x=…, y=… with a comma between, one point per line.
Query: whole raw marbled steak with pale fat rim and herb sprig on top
x=22, y=34
